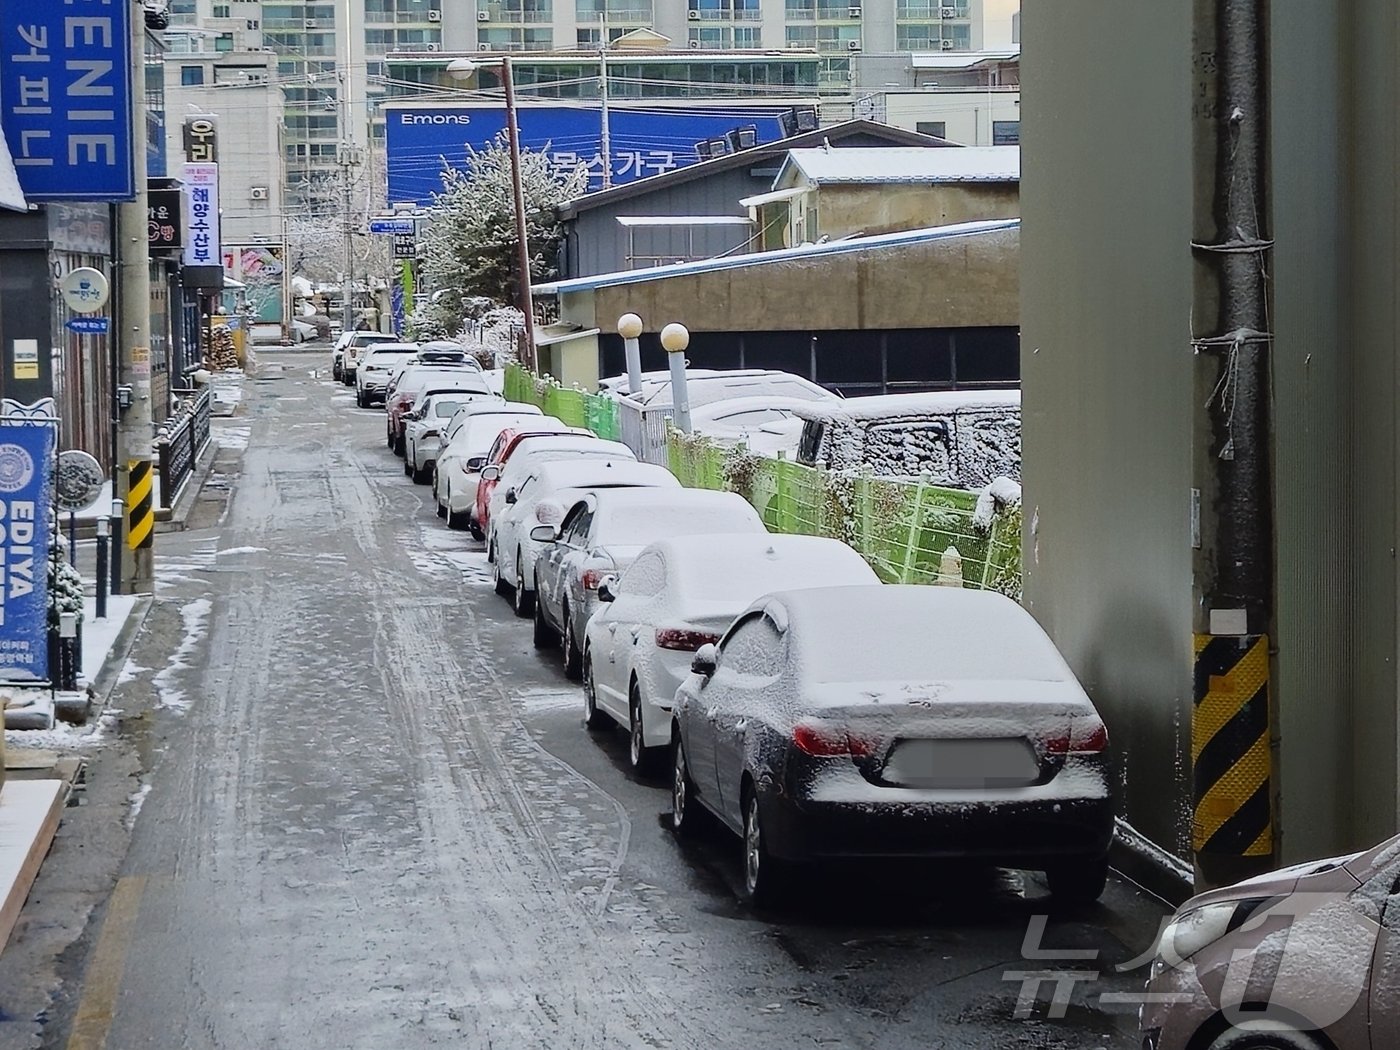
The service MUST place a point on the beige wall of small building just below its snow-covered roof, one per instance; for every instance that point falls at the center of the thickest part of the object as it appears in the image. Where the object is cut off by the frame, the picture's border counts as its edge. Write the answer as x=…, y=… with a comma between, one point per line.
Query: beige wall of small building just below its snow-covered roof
x=843, y=211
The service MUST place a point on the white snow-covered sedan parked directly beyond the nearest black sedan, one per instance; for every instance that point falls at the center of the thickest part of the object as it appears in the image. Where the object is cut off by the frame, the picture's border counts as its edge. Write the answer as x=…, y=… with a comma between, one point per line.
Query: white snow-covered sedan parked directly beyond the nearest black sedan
x=678, y=596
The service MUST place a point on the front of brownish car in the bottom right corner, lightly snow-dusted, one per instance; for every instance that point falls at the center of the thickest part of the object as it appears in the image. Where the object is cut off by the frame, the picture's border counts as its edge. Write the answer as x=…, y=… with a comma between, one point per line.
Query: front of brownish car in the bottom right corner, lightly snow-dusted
x=1303, y=958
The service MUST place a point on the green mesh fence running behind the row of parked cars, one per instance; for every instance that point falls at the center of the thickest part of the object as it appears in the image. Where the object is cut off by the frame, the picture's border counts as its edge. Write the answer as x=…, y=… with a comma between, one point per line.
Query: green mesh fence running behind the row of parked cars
x=909, y=531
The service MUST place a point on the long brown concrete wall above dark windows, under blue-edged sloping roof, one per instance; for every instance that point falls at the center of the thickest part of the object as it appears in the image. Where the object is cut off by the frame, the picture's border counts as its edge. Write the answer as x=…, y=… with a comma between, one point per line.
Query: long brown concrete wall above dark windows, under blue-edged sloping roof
x=965, y=282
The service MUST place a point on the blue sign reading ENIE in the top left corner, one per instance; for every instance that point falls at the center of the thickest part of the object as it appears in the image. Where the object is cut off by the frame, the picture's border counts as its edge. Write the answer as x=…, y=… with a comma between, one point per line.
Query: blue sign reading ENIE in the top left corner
x=66, y=99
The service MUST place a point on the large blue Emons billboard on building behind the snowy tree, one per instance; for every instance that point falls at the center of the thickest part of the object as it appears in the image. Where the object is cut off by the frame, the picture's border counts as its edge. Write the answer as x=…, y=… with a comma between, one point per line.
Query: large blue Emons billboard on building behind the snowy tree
x=643, y=142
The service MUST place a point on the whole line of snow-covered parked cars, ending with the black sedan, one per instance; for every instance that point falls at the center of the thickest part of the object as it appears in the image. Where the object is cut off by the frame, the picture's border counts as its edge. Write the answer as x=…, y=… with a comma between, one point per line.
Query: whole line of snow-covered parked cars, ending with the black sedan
x=779, y=685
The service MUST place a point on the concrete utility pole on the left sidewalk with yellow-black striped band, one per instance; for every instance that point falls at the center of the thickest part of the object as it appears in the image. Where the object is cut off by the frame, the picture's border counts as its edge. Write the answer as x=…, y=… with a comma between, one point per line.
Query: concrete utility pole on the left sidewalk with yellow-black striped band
x=132, y=460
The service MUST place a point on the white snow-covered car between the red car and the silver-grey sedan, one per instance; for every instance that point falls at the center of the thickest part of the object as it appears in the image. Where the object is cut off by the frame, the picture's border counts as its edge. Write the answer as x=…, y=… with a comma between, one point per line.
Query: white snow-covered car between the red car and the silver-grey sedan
x=541, y=496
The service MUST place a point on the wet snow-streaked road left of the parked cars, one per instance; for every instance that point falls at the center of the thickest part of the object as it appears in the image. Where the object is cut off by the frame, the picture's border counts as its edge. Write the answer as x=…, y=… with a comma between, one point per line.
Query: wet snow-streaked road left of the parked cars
x=374, y=821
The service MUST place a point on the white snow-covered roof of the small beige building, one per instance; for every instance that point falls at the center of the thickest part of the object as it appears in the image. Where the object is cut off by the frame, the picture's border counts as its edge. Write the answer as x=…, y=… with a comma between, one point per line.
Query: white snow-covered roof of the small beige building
x=901, y=164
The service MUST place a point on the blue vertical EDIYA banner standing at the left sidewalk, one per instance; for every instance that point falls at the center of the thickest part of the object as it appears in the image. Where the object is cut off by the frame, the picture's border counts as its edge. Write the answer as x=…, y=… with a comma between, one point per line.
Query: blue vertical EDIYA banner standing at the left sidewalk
x=27, y=451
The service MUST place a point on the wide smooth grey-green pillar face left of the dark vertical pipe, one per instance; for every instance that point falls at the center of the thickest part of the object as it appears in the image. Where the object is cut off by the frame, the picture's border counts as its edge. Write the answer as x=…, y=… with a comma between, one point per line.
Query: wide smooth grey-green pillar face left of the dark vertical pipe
x=1108, y=377
